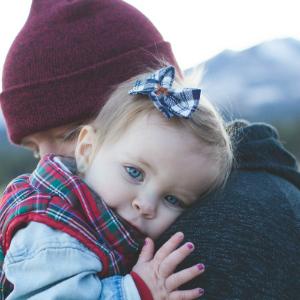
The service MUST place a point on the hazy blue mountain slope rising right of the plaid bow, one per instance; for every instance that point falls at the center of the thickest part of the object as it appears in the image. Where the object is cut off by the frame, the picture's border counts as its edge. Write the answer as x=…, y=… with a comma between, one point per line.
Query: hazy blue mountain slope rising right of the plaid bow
x=260, y=83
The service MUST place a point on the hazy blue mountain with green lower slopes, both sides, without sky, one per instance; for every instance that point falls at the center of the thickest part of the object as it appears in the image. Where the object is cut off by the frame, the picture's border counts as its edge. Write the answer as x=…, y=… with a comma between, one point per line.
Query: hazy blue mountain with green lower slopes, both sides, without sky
x=260, y=83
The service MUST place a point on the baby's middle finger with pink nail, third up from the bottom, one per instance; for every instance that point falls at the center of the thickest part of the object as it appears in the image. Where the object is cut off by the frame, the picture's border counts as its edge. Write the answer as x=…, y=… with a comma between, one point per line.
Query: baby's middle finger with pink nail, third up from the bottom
x=169, y=264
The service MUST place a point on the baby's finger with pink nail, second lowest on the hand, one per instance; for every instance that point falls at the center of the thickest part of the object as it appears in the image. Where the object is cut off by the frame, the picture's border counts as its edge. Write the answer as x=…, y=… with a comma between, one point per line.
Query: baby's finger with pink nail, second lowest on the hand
x=177, y=279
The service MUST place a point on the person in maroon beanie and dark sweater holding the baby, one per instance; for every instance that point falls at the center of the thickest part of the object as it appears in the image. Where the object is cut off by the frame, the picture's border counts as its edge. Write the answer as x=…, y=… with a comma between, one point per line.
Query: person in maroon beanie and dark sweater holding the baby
x=57, y=75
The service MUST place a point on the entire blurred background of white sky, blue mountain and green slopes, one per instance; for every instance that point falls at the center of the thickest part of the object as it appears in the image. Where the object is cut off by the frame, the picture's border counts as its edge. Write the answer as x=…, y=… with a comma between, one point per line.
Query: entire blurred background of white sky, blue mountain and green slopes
x=248, y=53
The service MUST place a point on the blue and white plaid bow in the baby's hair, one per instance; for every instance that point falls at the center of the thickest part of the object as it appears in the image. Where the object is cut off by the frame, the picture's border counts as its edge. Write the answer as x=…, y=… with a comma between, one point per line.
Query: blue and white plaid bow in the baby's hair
x=171, y=102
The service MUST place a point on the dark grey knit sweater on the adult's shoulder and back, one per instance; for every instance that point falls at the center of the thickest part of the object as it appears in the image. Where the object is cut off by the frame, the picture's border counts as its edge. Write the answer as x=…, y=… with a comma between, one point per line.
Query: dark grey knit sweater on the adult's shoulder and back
x=248, y=234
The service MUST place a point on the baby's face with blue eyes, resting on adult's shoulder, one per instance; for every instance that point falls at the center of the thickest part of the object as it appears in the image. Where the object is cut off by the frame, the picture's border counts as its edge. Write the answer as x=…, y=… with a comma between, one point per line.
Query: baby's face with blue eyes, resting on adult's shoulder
x=151, y=173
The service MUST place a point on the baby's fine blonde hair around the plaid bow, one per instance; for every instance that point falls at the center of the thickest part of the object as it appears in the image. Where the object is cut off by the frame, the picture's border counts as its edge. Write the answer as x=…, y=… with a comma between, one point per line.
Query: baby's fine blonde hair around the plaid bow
x=206, y=123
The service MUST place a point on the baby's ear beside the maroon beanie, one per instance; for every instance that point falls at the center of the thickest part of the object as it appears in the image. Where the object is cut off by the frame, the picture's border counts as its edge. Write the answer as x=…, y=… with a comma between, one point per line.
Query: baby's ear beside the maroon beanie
x=85, y=148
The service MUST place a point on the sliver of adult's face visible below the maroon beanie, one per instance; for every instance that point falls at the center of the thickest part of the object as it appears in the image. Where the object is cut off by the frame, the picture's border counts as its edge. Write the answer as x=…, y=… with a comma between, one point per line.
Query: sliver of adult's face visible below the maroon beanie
x=56, y=140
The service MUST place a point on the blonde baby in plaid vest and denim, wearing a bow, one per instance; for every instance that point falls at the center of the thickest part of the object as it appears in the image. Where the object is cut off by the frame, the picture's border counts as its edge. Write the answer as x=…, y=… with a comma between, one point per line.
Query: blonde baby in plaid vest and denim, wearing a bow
x=149, y=155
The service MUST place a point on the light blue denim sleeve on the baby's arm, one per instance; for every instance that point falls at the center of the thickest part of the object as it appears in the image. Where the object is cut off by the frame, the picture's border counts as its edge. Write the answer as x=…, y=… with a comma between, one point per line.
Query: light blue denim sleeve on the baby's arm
x=44, y=263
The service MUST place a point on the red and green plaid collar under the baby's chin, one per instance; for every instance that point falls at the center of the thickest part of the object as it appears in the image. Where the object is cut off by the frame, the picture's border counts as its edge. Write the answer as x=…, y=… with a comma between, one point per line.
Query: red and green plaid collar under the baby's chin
x=56, y=175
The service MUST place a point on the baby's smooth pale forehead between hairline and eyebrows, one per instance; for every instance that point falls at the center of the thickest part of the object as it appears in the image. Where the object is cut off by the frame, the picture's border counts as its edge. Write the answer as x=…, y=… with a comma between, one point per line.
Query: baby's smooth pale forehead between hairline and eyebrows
x=154, y=135
